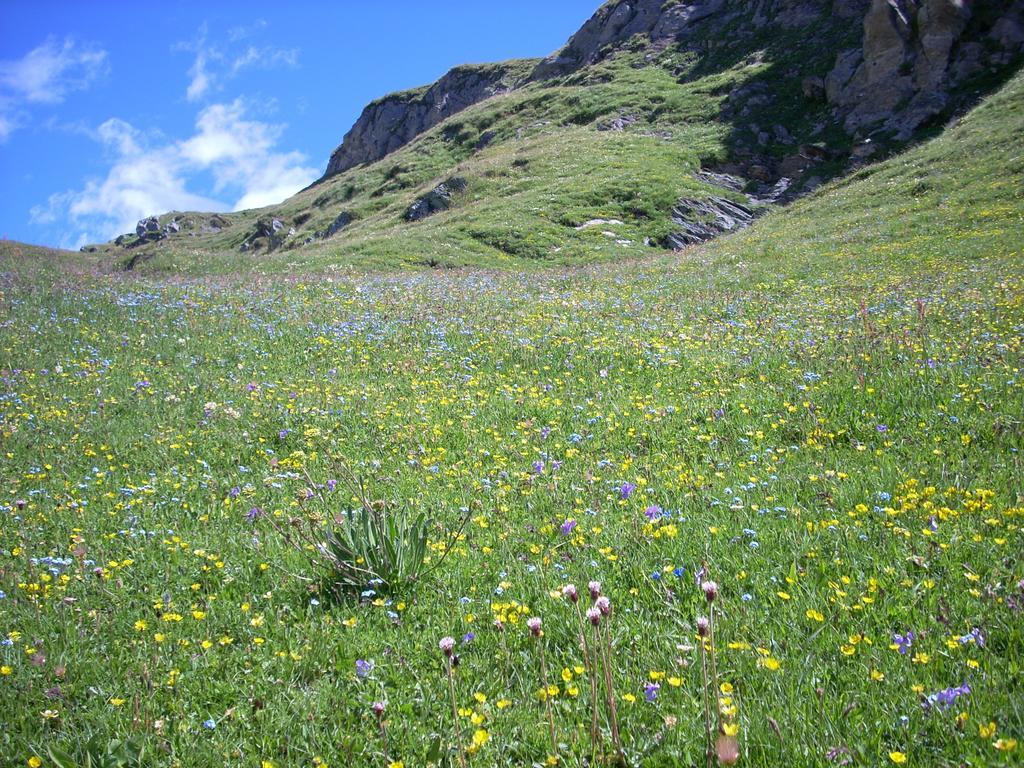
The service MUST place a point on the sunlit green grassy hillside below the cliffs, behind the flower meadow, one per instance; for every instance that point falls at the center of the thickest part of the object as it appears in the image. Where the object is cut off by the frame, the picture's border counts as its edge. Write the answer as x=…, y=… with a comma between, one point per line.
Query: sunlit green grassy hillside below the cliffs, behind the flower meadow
x=538, y=166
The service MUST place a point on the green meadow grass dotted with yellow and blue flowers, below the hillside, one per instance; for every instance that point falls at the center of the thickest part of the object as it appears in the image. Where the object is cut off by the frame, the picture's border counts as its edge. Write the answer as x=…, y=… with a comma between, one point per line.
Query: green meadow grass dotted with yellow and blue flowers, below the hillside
x=840, y=385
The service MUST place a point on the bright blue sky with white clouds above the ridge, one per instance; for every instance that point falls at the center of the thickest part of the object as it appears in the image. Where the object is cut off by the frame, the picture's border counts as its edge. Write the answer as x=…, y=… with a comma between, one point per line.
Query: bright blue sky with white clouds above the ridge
x=114, y=111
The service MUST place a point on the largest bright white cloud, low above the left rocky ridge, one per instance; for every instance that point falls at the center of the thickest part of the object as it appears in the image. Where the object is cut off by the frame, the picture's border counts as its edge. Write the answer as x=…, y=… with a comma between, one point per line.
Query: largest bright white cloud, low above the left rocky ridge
x=145, y=181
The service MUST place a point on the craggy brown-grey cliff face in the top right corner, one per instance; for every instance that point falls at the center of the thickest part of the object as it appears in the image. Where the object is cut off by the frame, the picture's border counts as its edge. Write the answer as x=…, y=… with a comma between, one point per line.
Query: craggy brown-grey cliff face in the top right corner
x=914, y=55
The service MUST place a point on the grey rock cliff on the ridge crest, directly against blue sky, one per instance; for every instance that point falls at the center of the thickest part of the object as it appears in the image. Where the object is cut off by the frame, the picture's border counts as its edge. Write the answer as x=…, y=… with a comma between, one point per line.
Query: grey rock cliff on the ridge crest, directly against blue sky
x=396, y=120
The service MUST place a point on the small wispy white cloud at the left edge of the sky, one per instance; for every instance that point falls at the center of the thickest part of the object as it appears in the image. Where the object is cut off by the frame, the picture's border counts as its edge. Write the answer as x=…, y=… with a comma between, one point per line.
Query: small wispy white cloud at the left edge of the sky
x=48, y=74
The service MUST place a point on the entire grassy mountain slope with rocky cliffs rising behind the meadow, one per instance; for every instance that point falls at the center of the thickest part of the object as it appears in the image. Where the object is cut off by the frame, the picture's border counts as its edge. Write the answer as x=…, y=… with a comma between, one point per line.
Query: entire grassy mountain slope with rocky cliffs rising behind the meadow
x=587, y=155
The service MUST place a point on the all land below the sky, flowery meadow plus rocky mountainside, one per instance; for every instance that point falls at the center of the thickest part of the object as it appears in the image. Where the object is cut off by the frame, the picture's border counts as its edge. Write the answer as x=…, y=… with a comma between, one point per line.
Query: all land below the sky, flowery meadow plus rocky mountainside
x=659, y=403
